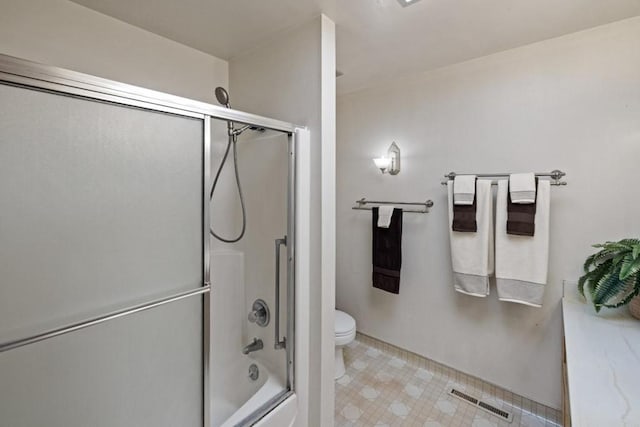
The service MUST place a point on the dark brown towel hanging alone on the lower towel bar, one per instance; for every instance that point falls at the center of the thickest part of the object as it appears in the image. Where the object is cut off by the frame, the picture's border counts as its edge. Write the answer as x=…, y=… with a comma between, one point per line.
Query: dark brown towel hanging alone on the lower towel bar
x=387, y=252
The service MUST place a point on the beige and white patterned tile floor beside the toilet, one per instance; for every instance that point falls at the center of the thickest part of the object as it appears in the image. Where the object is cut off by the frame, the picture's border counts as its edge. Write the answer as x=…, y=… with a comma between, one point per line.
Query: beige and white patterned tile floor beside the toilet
x=395, y=388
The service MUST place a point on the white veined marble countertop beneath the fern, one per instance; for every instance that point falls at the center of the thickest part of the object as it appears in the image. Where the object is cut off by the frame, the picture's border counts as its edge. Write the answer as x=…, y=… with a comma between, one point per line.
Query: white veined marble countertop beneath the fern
x=603, y=365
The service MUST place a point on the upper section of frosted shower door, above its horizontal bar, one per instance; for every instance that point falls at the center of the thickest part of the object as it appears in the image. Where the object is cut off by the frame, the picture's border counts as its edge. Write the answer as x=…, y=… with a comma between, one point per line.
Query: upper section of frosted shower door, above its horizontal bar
x=100, y=206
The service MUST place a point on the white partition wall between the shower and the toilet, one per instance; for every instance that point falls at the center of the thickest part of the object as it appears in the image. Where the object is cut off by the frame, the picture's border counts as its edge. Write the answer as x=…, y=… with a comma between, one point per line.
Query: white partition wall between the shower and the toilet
x=288, y=79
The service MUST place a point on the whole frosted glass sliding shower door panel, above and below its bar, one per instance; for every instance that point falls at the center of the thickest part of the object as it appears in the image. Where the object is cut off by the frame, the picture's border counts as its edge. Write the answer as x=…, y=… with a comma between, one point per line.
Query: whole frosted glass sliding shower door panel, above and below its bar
x=101, y=209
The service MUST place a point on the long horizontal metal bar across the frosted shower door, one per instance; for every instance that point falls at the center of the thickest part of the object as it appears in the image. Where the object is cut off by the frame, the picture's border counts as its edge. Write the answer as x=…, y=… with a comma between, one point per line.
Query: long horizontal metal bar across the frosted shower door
x=10, y=345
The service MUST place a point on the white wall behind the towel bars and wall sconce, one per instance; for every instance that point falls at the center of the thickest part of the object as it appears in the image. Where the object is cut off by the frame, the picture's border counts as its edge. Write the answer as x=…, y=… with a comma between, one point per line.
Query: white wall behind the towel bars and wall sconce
x=570, y=103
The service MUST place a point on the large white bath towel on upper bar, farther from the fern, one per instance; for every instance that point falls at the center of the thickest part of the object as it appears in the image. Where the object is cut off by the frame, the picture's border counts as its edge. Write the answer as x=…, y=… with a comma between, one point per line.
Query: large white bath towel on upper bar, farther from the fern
x=472, y=253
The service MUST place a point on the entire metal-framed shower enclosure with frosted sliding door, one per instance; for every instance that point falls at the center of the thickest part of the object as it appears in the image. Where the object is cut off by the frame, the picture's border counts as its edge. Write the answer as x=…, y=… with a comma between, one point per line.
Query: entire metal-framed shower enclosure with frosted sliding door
x=116, y=306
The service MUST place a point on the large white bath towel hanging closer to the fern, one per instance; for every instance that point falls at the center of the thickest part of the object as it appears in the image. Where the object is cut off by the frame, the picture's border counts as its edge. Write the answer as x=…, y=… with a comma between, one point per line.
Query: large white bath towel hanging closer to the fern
x=522, y=261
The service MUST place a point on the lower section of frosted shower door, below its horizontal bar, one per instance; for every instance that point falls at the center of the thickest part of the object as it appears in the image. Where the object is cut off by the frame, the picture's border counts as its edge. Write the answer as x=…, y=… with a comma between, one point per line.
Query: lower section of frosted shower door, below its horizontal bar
x=141, y=370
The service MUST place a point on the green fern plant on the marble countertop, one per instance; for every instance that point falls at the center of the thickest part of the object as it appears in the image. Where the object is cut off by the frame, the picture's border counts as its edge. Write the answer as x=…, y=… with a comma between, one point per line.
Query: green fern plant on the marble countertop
x=612, y=275
